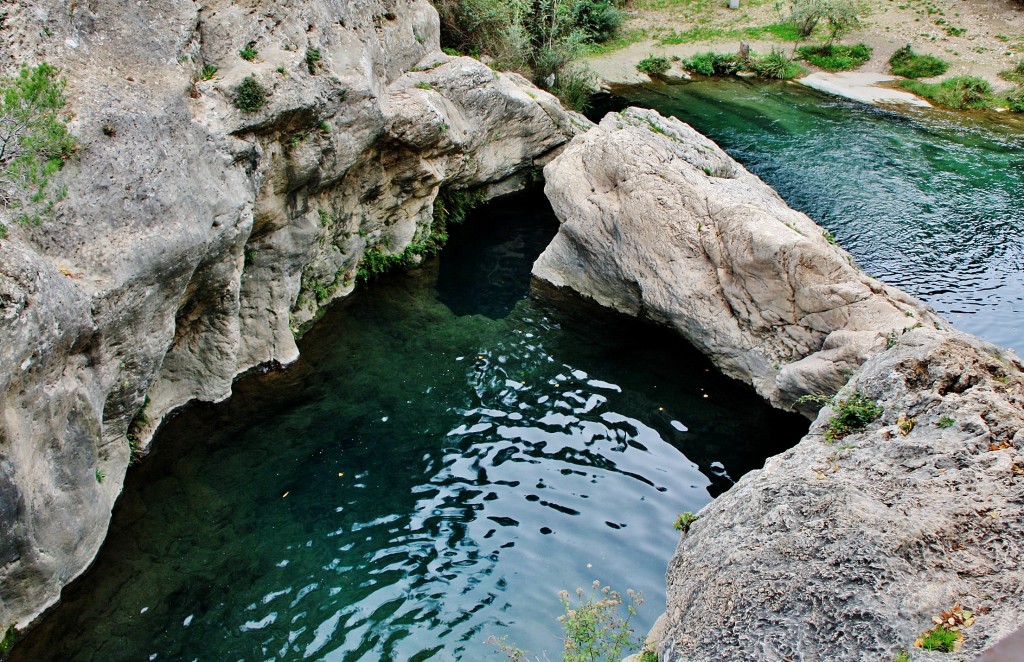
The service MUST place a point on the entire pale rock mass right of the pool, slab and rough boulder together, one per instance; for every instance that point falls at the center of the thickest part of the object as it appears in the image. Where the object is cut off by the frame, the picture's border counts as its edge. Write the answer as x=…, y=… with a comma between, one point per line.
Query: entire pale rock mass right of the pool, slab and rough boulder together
x=842, y=550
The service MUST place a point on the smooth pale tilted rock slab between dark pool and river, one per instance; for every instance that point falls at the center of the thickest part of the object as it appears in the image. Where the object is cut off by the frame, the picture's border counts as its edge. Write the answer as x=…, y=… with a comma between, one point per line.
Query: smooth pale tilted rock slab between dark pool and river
x=658, y=221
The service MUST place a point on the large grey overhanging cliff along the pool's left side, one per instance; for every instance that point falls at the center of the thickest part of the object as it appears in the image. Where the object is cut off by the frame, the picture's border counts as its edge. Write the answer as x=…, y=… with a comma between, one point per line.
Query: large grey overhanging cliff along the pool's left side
x=196, y=240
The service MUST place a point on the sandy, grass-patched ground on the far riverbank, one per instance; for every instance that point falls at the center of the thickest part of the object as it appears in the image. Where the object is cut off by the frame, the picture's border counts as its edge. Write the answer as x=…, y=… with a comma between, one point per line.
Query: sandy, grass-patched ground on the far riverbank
x=976, y=37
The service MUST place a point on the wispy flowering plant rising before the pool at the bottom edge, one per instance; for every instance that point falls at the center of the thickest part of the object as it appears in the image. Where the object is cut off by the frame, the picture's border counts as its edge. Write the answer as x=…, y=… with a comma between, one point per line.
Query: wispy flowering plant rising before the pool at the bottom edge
x=594, y=629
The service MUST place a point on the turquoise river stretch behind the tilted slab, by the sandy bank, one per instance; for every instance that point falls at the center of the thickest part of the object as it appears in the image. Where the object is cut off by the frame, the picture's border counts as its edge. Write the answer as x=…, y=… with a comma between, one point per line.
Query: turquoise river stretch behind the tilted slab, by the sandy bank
x=930, y=201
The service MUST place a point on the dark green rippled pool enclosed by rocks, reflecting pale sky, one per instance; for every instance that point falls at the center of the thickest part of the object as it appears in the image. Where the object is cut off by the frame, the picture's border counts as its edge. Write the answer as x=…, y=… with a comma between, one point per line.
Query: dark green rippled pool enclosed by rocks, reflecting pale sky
x=446, y=457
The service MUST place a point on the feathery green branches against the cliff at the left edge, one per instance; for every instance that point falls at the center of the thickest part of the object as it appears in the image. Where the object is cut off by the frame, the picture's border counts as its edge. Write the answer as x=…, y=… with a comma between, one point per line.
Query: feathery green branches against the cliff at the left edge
x=34, y=141
